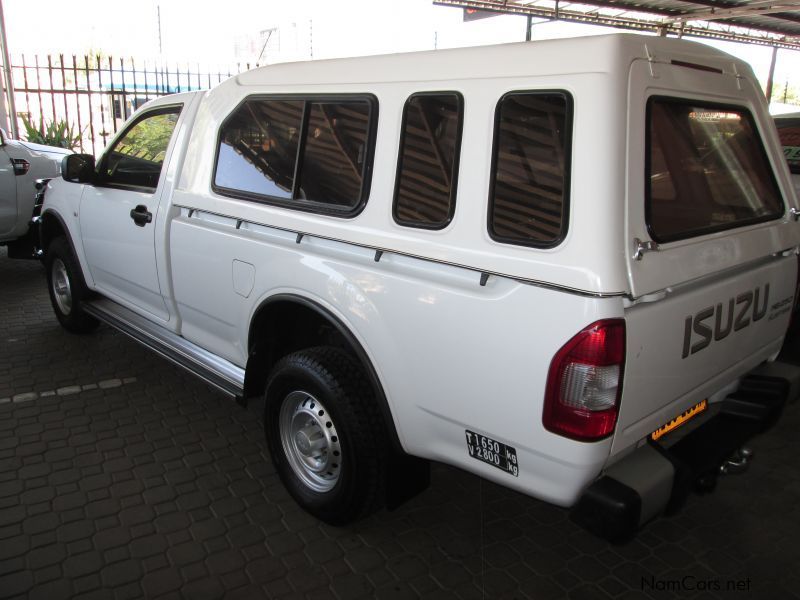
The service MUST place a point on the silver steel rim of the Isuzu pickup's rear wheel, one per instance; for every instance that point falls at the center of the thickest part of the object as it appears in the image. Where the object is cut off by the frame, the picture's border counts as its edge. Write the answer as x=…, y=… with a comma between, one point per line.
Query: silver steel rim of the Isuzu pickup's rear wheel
x=310, y=441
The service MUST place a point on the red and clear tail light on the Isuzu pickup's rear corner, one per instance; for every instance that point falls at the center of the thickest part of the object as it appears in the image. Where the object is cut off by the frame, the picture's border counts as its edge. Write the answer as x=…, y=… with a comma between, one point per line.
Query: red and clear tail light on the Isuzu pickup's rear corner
x=584, y=383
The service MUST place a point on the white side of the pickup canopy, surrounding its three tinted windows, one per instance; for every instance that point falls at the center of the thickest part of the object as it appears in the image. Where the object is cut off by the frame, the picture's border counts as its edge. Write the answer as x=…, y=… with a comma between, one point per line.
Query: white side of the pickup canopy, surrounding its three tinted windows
x=595, y=89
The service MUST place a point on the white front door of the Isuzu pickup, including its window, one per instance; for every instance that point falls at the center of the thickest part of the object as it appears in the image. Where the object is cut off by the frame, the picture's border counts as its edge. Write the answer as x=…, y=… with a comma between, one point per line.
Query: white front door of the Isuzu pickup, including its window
x=118, y=212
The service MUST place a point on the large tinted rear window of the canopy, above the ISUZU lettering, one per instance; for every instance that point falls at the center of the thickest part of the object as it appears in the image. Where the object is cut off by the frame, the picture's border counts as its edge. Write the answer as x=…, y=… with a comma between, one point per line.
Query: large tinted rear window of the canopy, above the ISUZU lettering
x=706, y=170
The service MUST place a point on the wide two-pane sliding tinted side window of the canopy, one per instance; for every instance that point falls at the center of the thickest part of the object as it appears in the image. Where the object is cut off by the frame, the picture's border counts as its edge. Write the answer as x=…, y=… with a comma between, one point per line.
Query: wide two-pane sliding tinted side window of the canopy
x=308, y=153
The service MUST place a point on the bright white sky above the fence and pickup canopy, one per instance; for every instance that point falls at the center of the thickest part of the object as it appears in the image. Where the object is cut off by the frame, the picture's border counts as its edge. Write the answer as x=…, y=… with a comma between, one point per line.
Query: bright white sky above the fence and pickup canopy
x=199, y=32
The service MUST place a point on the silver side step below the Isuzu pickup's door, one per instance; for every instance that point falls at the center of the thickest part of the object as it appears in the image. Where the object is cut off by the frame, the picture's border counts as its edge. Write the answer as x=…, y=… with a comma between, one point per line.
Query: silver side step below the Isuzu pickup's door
x=220, y=373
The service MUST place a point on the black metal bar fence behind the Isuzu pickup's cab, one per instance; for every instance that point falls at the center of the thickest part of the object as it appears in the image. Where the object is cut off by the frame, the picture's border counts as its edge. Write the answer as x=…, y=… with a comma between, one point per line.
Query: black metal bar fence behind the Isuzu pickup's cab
x=94, y=95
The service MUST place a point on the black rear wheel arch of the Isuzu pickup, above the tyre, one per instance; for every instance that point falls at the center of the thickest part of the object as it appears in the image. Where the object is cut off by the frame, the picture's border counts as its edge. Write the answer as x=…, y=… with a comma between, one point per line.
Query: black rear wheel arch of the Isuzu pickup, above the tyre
x=288, y=322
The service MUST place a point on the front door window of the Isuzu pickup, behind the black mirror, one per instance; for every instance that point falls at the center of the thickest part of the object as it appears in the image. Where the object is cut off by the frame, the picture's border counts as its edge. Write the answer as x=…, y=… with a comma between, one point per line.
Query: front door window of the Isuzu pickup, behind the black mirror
x=137, y=157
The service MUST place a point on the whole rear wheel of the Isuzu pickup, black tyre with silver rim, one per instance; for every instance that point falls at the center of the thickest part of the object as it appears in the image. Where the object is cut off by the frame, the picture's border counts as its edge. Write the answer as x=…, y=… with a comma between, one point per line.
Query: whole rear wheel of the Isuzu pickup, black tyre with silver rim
x=325, y=434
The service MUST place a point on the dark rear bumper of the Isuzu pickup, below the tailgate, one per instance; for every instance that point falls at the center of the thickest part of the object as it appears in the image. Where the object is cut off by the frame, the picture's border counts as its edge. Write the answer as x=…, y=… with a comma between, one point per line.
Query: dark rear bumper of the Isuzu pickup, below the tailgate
x=657, y=477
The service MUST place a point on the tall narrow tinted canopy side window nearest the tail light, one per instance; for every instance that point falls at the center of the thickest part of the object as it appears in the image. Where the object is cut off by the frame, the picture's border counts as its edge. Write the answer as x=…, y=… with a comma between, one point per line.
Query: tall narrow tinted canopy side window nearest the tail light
x=529, y=197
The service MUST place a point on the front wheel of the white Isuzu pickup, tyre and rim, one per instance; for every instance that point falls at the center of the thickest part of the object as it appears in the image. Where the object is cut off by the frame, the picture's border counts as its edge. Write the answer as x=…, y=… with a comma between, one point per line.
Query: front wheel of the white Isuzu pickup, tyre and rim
x=67, y=287
